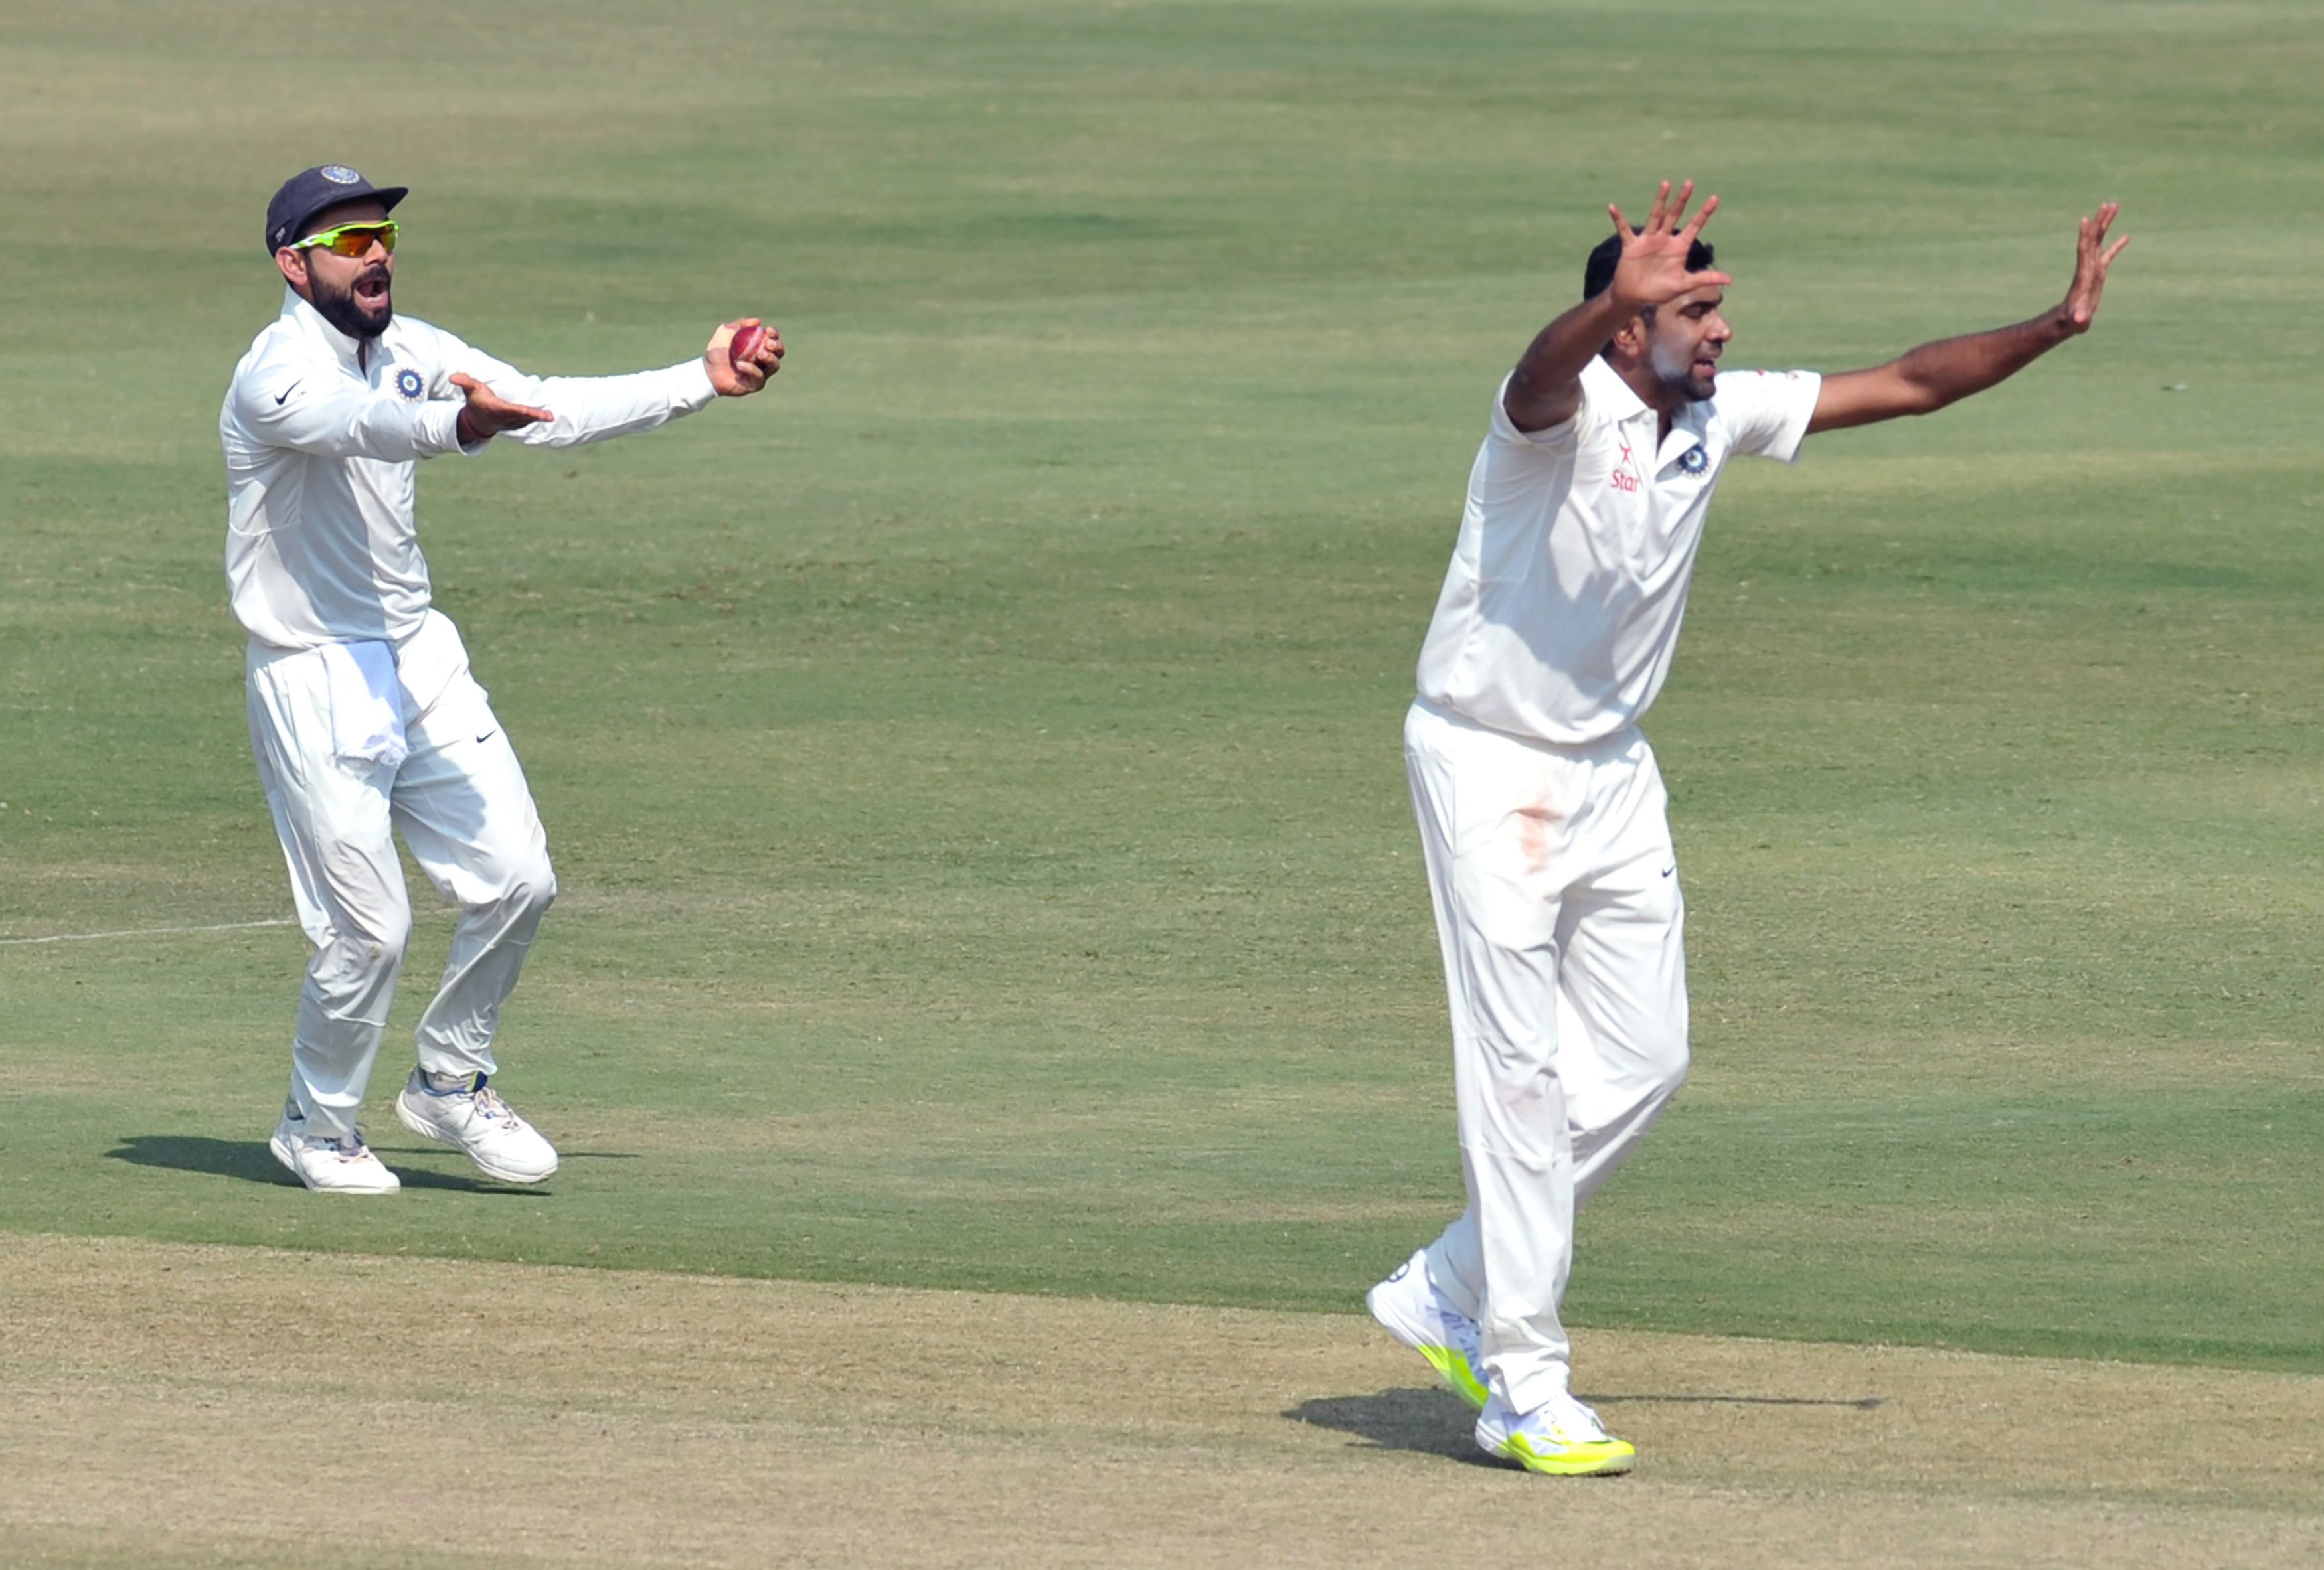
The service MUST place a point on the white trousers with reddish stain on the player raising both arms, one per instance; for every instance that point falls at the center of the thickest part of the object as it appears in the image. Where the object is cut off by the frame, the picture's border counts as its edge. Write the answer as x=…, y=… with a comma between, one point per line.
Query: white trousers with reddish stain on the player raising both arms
x=1563, y=939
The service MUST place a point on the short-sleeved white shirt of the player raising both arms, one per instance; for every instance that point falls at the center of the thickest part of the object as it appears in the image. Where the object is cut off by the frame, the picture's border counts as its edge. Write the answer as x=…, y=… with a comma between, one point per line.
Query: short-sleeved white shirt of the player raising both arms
x=1563, y=605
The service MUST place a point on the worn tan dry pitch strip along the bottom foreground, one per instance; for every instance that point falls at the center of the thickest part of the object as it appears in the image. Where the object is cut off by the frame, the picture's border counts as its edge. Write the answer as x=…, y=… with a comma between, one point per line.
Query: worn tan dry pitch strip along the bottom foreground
x=203, y=1406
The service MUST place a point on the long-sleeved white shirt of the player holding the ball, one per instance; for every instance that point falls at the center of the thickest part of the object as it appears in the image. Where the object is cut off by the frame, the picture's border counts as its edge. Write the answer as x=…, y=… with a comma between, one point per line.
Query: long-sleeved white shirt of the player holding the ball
x=322, y=454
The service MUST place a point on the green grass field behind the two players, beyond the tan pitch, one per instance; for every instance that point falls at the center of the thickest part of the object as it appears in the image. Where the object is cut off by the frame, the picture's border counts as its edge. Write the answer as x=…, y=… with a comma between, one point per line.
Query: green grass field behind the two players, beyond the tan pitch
x=975, y=768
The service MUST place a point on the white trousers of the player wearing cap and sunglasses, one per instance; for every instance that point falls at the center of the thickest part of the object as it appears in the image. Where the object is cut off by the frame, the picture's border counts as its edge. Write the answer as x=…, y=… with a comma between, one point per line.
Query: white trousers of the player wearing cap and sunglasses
x=464, y=809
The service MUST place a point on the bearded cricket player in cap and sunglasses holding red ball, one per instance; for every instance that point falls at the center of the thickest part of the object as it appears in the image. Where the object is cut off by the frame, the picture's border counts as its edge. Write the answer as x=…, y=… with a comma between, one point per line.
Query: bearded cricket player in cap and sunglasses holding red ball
x=364, y=712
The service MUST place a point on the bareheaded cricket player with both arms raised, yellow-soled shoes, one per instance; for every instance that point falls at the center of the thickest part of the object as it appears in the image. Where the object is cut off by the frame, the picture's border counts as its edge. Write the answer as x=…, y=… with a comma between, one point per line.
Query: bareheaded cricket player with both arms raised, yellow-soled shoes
x=1540, y=805
